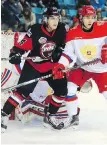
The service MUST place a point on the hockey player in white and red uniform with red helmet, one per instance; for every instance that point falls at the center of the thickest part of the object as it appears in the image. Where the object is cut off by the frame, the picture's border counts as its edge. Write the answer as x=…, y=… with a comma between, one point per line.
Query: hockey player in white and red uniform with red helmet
x=84, y=42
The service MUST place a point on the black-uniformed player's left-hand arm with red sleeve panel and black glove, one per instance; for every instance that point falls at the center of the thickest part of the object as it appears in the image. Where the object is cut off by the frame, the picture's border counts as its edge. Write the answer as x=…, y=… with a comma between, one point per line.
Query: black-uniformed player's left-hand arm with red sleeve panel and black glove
x=20, y=48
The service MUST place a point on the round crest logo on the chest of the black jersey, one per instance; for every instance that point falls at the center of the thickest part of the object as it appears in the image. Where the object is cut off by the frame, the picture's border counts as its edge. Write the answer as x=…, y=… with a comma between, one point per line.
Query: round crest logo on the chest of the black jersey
x=47, y=49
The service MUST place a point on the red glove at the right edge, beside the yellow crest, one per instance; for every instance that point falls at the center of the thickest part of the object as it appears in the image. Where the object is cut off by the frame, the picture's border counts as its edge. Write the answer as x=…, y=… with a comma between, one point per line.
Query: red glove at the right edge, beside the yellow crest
x=104, y=54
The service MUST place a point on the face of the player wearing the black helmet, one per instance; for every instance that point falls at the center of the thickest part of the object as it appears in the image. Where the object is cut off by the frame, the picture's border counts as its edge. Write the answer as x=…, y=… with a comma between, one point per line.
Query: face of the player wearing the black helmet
x=53, y=22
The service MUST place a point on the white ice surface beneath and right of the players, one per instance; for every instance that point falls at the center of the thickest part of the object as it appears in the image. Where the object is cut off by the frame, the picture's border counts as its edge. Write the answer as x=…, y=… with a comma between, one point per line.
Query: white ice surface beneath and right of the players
x=92, y=129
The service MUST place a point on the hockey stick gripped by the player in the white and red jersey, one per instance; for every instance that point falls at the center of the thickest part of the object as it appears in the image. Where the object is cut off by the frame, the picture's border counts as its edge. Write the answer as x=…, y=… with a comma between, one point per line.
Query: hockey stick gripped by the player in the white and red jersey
x=47, y=76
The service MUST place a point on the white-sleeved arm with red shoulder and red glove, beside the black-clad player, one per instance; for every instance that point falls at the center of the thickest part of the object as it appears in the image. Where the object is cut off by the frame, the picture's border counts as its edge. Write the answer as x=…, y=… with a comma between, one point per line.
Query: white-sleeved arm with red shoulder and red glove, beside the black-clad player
x=68, y=58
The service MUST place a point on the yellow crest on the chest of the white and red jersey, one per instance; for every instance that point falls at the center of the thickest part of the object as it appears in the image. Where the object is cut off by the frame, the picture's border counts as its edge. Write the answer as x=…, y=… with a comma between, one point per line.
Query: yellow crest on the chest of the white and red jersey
x=88, y=51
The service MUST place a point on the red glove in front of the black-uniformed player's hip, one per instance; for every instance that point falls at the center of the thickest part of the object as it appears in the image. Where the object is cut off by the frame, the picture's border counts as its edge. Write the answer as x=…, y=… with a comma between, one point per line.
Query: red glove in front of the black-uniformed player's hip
x=57, y=71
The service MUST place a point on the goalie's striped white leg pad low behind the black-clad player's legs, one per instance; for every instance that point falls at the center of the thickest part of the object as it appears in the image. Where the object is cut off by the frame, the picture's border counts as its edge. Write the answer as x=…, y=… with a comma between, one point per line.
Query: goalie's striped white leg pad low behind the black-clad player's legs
x=31, y=109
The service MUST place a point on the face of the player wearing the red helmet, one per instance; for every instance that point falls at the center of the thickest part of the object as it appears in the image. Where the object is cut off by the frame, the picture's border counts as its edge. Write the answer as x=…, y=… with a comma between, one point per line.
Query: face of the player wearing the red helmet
x=88, y=21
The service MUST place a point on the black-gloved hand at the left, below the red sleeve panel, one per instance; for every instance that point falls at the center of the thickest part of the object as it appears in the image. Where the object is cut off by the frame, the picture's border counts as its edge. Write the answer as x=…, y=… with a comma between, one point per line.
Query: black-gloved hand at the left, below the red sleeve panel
x=15, y=58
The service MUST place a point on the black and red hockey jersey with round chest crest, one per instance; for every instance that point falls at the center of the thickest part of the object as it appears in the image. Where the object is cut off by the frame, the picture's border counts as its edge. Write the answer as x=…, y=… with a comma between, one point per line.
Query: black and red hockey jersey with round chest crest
x=42, y=44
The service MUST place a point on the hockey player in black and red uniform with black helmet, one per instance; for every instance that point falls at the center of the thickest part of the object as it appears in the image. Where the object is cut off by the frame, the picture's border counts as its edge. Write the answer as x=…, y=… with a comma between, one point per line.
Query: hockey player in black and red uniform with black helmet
x=45, y=42
